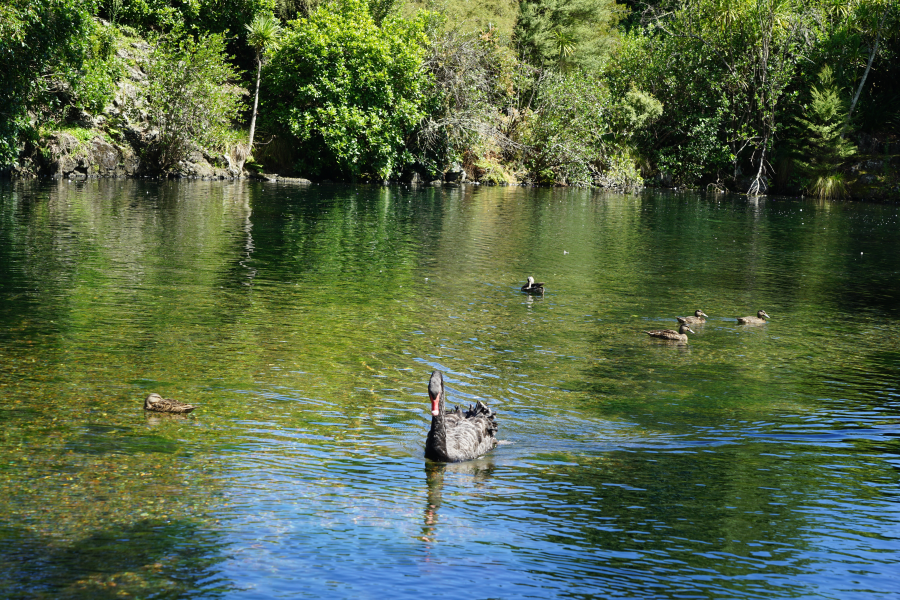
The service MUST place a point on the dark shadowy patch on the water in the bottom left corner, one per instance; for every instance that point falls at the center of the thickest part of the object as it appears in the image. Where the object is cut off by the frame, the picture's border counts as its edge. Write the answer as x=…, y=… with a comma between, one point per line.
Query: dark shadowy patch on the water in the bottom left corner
x=149, y=558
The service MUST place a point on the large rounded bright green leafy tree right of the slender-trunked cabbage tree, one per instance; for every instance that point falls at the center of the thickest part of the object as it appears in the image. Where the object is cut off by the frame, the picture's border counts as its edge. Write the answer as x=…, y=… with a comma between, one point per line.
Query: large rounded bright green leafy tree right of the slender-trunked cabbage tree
x=349, y=91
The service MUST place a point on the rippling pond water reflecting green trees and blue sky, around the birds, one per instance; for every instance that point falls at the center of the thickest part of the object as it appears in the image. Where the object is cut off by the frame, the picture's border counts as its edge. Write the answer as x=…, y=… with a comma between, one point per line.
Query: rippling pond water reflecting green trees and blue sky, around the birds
x=755, y=462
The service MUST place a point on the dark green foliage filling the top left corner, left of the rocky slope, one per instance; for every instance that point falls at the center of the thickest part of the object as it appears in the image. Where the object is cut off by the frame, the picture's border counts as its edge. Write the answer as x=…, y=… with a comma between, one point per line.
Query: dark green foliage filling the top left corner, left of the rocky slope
x=38, y=39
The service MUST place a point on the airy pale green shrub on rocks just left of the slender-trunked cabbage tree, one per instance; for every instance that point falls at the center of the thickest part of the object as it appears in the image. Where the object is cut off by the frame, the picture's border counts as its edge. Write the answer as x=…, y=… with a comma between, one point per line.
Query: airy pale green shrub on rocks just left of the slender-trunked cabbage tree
x=189, y=98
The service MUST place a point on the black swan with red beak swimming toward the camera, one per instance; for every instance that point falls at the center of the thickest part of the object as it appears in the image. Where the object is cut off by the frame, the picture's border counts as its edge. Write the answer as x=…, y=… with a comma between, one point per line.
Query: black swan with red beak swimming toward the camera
x=455, y=435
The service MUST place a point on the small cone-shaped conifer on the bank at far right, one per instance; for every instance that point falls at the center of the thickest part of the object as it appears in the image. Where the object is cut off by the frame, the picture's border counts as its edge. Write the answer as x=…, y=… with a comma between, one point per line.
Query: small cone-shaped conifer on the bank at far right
x=820, y=146
